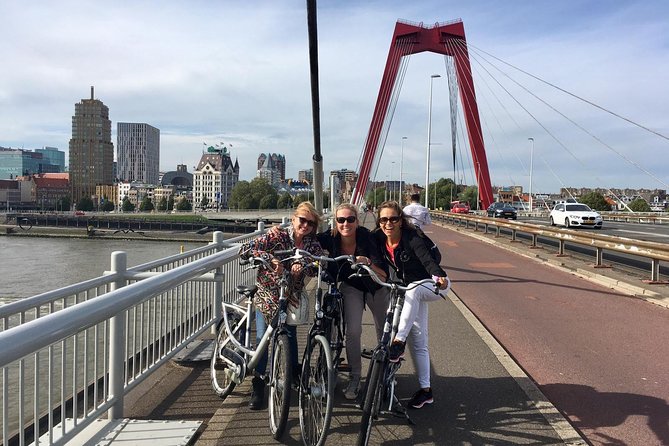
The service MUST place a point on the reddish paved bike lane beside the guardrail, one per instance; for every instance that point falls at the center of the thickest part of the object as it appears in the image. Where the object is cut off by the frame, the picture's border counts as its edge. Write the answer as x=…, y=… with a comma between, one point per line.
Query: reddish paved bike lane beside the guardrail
x=602, y=358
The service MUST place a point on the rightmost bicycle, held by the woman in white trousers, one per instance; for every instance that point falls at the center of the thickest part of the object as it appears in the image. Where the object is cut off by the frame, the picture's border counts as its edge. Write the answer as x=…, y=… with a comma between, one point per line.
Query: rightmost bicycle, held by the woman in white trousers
x=379, y=393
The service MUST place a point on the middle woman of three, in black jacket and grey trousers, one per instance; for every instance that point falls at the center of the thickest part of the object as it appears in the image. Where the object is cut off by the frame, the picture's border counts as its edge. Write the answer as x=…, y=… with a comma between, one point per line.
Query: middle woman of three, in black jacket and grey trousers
x=347, y=237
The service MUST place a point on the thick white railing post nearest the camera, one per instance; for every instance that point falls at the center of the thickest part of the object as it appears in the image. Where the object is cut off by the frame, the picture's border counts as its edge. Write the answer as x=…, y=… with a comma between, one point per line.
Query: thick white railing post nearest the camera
x=117, y=335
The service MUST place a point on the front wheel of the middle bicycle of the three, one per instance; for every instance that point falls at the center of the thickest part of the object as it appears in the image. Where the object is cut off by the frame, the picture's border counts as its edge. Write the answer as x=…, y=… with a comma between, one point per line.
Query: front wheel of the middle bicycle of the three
x=316, y=391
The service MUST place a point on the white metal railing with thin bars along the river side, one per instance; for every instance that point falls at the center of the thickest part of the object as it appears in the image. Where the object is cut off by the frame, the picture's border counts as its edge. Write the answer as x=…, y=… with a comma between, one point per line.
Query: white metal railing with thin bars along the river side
x=70, y=355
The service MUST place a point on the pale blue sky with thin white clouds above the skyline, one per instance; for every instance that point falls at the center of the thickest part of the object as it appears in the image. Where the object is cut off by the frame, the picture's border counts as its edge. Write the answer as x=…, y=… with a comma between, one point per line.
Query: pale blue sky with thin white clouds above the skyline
x=237, y=72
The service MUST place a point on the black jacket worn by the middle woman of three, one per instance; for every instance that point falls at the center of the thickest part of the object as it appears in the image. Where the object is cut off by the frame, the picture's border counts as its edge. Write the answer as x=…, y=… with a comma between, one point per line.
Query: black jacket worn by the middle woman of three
x=365, y=245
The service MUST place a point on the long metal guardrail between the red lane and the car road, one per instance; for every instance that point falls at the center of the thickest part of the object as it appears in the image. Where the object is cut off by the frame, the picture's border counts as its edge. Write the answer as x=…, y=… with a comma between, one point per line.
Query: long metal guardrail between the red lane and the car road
x=655, y=252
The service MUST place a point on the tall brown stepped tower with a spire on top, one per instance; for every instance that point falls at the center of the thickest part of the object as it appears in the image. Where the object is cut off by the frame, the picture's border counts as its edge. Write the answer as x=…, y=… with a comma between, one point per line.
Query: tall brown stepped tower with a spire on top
x=91, y=149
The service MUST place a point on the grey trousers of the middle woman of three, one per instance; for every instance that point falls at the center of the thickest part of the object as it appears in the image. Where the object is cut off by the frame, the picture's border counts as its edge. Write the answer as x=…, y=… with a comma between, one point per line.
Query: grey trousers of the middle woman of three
x=354, y=305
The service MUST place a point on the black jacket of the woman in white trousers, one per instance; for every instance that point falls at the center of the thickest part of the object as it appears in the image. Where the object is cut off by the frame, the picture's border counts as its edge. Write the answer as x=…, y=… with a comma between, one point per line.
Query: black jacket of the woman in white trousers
x=412, y=259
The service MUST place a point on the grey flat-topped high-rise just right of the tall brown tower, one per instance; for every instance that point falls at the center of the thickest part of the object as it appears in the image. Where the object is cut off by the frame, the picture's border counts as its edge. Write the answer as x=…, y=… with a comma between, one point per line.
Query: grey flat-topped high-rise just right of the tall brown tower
x=137, y=152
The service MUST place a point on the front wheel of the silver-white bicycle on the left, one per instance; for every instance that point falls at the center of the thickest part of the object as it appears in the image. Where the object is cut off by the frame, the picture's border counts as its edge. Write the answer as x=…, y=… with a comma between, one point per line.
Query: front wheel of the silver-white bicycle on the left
x=279, y=391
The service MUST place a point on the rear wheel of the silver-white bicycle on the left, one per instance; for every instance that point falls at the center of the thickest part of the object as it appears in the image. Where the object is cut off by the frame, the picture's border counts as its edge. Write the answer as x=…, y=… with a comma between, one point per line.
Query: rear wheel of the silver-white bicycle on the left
x=223, y=374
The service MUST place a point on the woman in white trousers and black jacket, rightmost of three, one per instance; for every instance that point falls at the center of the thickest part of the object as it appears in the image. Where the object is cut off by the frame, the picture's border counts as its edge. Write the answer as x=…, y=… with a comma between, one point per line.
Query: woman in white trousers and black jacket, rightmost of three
x=408, y=254
